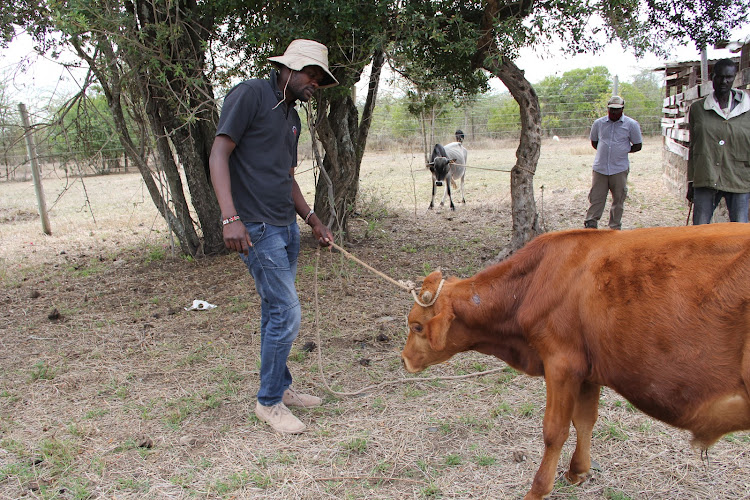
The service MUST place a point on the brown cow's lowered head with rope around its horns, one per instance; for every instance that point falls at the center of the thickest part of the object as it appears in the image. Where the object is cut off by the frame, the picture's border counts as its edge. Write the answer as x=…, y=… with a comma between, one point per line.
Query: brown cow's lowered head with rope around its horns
x=429, y=342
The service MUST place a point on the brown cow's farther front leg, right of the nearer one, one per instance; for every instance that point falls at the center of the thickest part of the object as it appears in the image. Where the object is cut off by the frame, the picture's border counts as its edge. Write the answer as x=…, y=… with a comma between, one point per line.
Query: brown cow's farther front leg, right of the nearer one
x=584, y=416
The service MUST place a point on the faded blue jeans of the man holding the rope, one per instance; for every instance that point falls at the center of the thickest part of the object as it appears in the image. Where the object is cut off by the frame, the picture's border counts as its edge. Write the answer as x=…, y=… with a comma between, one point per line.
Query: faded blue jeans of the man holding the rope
x=272, y=261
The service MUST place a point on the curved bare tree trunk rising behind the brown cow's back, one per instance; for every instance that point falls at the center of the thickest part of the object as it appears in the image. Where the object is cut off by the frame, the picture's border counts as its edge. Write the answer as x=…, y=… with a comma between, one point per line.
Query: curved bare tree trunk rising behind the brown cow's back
x=524, y=214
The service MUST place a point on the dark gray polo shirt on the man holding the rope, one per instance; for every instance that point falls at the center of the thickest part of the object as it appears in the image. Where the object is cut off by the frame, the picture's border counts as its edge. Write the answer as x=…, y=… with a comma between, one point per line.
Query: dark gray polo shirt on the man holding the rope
x=266, y=138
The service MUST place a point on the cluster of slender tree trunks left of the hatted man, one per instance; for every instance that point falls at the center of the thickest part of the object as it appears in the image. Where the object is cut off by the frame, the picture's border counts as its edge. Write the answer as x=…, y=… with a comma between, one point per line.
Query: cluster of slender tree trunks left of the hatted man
x=183, y=114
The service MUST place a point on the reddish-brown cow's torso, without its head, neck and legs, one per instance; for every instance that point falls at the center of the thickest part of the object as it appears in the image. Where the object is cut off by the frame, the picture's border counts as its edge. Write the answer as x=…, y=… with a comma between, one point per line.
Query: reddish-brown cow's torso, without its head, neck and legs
x=661, y=315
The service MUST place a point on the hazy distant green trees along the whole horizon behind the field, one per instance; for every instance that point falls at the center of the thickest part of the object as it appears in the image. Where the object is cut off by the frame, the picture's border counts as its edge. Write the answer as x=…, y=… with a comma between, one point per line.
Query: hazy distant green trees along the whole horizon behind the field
x=81, y=131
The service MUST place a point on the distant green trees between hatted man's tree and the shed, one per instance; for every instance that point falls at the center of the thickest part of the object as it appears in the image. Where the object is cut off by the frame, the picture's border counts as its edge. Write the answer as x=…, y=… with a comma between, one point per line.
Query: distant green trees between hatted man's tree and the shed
x=569, y=104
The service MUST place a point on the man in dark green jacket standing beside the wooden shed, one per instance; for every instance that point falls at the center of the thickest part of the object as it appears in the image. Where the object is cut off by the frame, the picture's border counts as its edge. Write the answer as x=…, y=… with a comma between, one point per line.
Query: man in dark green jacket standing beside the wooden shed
x=719, y=160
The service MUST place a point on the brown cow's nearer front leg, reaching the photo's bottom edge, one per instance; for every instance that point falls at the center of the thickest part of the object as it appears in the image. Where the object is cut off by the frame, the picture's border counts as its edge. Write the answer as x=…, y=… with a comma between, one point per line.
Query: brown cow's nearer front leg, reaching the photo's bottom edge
x=561, y=392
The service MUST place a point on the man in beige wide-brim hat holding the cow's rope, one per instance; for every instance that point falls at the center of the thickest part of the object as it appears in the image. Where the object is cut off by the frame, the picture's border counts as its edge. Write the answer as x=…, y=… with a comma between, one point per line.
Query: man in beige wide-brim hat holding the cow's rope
x=252, y=170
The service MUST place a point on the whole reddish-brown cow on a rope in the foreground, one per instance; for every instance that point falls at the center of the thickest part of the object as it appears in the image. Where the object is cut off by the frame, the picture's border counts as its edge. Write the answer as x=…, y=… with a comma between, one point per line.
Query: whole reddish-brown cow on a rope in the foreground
x=660, y=315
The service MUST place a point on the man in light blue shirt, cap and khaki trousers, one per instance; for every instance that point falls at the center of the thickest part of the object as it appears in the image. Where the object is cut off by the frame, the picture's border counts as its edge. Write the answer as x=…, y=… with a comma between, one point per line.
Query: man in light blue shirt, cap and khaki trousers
x=614, y=137
